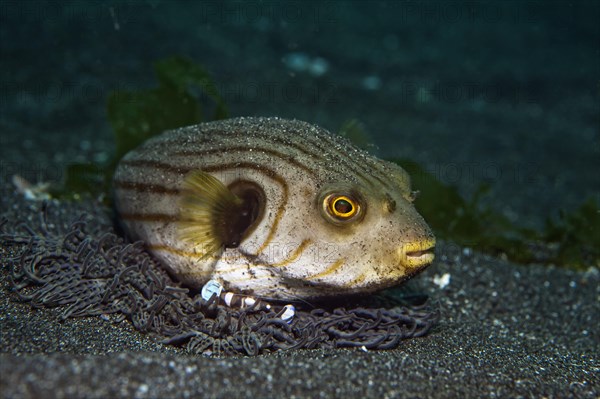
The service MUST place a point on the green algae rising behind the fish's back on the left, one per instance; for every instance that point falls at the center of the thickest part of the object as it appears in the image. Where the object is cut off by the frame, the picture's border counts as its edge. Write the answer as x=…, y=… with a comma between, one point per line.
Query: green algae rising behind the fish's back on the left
x=184, y=94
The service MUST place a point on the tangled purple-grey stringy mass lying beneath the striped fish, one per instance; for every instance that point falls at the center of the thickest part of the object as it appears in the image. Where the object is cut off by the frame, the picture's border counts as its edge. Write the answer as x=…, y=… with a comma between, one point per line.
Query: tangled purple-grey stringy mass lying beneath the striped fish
x=90, y=273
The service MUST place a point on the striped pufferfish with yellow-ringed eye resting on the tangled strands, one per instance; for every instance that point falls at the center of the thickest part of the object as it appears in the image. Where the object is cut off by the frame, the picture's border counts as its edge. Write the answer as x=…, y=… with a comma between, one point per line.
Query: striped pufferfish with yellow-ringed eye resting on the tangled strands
x=272, y=208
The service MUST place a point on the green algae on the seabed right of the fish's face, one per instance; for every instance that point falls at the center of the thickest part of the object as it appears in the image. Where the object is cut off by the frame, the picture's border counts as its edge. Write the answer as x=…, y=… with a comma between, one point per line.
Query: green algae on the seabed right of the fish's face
x=571, y=240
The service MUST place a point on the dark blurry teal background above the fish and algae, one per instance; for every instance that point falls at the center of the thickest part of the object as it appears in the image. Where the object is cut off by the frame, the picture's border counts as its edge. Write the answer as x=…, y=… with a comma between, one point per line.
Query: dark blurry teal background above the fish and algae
x=505, y=92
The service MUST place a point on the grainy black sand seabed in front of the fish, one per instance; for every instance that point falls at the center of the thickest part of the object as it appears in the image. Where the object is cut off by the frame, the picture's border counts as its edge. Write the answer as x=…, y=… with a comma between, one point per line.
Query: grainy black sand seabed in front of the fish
x=505, y=331
